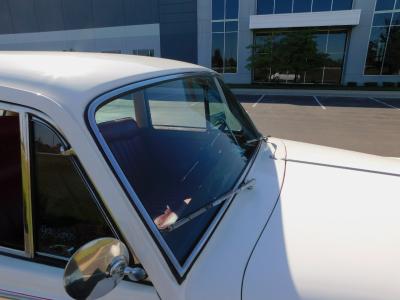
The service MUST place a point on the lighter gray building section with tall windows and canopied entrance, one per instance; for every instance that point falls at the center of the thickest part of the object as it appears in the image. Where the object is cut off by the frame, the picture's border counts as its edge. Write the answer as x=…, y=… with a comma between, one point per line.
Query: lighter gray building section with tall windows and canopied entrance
x=301, y=41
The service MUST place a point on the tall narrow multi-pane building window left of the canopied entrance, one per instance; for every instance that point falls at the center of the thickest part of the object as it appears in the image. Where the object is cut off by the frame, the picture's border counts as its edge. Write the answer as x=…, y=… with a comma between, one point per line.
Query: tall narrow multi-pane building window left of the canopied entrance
x=225, y=25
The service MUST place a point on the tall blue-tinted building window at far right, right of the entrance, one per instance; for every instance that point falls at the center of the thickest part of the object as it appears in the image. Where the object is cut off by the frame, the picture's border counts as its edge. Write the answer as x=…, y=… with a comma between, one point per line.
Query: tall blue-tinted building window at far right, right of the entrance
x=384, y=41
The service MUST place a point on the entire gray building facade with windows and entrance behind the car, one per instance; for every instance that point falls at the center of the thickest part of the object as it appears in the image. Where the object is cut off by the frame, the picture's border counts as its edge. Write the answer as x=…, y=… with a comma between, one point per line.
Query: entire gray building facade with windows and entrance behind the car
x=267, y=41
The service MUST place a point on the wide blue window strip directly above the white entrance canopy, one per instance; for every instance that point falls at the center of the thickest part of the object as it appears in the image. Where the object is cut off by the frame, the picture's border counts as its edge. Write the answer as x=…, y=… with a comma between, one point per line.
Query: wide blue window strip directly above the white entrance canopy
x=265, y=7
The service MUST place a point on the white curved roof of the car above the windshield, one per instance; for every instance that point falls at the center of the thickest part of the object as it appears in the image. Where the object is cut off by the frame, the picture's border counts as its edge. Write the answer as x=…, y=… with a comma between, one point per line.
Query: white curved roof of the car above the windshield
x=72, y=79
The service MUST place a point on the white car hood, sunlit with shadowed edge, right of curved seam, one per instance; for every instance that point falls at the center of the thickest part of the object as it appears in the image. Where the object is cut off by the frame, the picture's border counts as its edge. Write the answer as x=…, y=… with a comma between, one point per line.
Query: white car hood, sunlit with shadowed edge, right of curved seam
x=335, y=232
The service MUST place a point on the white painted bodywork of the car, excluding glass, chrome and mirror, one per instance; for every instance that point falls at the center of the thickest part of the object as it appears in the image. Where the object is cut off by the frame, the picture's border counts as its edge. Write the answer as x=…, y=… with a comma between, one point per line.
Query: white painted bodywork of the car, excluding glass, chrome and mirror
x=333, y=234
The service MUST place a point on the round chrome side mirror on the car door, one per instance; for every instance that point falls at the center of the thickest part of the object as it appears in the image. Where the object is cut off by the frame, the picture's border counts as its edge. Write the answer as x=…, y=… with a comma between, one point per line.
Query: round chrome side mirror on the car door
x=97, y=268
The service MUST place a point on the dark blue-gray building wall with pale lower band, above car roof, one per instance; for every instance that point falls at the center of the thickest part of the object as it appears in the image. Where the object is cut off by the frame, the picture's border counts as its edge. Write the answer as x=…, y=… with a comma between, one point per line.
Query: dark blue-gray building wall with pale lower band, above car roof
x=176, y=36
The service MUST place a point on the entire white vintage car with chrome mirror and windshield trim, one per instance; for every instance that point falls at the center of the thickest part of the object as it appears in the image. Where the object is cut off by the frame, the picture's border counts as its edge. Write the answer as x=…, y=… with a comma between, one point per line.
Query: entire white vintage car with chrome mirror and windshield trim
x=130, y=177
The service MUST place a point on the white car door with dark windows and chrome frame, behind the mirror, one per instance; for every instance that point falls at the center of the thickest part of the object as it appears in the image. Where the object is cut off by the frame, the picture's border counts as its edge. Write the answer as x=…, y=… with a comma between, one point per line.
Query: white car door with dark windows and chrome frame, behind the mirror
x=48, y=209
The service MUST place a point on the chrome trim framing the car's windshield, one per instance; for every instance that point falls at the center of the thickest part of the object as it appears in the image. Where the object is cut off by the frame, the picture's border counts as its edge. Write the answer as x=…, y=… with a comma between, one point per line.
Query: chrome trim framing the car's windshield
x=91, y=112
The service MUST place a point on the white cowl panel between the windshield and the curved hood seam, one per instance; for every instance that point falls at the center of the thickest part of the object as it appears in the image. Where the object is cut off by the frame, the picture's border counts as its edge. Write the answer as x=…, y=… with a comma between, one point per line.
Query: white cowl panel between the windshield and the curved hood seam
x=217, y=274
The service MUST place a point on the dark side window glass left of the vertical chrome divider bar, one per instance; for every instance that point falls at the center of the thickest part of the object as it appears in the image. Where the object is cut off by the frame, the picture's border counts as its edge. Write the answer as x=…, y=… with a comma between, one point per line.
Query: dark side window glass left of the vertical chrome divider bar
x=11, y=222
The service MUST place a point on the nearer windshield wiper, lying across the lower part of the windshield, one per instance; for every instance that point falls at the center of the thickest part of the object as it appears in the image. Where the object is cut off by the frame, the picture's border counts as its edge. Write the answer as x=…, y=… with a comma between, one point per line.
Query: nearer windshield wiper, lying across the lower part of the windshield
x=245, y=185
